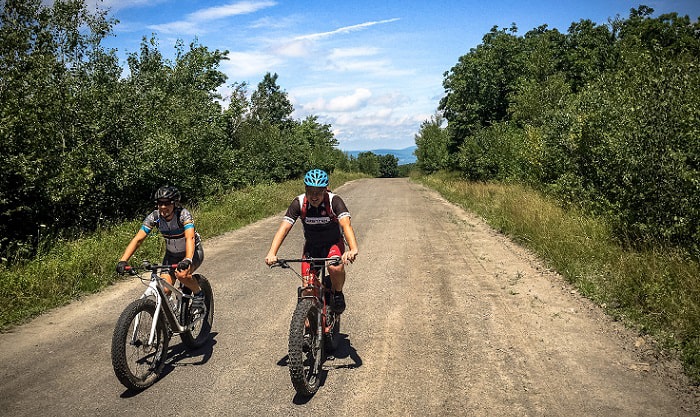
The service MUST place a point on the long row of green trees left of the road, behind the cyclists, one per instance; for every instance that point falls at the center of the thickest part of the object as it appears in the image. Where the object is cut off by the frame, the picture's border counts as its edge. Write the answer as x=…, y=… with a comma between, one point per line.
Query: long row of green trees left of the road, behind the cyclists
x=85, y=142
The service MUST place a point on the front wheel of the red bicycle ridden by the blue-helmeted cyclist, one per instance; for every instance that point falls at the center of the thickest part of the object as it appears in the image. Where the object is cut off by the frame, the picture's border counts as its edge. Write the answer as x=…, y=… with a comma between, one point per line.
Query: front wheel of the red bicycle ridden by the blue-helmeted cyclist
x=306, y=352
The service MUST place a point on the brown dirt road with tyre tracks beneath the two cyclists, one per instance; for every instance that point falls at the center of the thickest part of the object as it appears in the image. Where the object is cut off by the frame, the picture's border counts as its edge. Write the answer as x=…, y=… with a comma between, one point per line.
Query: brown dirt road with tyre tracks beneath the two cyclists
x=445, y=317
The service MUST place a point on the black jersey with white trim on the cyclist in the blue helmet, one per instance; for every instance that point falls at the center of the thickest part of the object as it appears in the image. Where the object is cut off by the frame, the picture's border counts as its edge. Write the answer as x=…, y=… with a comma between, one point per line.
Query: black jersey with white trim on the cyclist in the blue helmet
x=321, y=227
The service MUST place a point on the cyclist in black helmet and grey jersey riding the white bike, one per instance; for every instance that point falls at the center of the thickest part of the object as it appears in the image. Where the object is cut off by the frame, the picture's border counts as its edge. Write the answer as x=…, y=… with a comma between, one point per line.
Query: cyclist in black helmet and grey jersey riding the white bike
x=183, y=245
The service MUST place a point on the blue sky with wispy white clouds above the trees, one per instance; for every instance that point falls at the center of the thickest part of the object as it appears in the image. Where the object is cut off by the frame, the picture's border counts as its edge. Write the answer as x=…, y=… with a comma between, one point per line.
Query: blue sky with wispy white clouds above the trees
x=373, y=70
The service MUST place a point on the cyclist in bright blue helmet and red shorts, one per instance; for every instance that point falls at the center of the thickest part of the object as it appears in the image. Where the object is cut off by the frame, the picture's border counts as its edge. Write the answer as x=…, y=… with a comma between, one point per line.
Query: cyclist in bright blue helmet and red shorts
x=327, y=230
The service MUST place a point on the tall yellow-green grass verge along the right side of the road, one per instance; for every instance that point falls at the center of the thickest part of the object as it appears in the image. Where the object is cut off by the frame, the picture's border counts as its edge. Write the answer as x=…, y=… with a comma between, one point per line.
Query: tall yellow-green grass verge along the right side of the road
x=656, y=291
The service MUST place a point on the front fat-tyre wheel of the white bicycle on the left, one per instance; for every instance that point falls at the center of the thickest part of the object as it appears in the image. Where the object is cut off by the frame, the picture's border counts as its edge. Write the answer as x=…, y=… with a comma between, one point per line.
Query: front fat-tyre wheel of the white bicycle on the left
x=138, y=364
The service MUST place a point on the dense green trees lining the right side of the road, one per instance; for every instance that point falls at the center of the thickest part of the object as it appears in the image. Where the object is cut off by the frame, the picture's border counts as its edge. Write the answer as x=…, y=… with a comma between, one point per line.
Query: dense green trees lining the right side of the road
x=604, y=116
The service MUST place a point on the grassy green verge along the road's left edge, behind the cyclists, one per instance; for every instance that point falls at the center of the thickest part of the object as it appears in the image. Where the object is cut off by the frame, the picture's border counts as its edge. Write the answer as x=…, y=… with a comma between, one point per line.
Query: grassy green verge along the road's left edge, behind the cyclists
x=84, y=266
